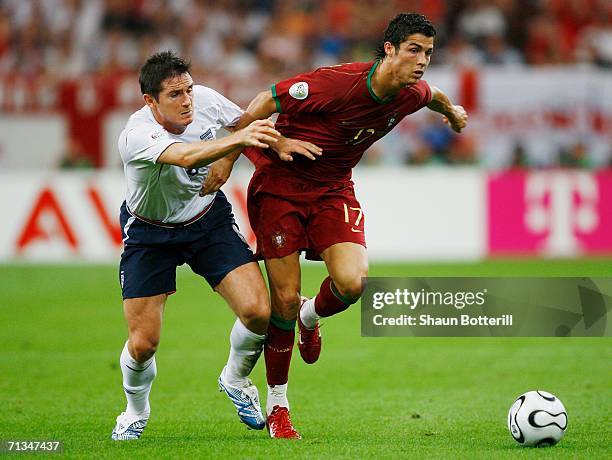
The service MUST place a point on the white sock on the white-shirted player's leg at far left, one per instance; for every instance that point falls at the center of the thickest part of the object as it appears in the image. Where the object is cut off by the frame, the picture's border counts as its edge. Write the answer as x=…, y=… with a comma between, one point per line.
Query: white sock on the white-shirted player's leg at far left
x=137, y=380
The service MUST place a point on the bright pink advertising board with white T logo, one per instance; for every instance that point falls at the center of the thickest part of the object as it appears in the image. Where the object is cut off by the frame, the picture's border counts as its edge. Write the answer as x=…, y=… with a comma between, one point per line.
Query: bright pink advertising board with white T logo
x=557, y=213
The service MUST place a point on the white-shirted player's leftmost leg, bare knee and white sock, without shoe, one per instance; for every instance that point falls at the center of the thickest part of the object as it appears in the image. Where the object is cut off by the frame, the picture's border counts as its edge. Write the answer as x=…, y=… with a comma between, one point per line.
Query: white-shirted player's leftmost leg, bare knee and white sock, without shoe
x=144, y=319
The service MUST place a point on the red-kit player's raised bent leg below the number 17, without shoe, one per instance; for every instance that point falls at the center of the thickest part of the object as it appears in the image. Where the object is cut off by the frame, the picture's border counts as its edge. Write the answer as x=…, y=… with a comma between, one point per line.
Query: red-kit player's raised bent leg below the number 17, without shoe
x=347, y=264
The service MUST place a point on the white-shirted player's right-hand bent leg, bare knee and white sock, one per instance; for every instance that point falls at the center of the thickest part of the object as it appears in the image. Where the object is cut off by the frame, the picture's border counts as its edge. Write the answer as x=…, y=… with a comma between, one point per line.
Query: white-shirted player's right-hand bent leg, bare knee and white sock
x=245, y=292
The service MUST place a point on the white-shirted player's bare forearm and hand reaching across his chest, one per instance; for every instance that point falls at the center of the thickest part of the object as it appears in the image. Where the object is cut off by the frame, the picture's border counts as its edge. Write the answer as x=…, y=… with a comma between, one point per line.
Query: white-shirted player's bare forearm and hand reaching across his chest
x=260, y=133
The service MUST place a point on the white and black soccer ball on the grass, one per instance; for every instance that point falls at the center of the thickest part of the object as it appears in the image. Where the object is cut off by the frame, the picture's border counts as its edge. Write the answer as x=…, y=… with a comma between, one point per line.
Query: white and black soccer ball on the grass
x=537, y=418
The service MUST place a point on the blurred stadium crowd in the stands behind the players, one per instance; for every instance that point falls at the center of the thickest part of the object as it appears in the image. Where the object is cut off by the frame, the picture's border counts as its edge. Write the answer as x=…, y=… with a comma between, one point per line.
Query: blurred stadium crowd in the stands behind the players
x=255, y=42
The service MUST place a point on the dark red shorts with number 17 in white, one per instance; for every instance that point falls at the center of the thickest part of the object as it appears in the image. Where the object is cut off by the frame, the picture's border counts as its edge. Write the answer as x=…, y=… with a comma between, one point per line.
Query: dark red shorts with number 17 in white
x=290, y=214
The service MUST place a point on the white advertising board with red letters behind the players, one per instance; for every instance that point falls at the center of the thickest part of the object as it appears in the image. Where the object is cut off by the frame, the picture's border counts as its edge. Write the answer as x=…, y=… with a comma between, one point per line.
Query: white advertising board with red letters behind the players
x=410, y=214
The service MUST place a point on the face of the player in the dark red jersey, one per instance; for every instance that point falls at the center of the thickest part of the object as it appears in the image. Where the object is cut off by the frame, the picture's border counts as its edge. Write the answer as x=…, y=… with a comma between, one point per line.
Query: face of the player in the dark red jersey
x=409, y=61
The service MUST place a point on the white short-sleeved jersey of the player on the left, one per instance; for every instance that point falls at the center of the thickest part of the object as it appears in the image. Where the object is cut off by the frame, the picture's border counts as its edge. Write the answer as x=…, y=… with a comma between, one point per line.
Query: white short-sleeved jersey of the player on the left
x=166, y=193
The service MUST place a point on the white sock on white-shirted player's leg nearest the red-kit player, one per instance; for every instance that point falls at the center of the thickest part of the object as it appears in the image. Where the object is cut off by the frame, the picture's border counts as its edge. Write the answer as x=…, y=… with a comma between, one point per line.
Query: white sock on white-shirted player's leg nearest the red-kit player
x=246, y=346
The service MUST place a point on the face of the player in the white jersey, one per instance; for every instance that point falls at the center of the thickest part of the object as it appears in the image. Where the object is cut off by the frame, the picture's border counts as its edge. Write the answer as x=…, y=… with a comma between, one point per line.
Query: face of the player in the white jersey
x=174, y=107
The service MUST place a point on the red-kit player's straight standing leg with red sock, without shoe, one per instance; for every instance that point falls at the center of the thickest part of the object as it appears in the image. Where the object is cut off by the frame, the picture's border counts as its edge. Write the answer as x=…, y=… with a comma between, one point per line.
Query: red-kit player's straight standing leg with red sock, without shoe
x=284, y=280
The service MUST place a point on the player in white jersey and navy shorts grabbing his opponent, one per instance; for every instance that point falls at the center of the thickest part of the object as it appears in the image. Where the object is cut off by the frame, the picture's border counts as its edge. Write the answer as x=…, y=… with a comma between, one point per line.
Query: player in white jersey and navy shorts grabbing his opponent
x=166, y=147
